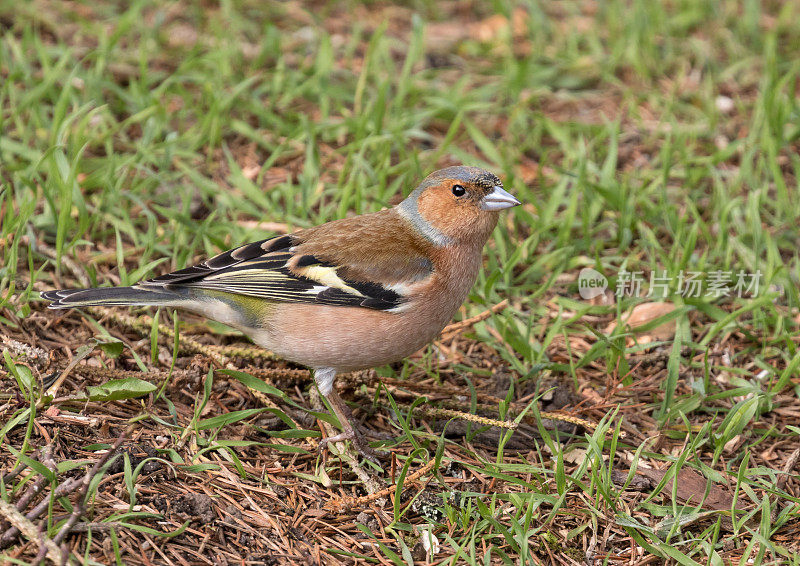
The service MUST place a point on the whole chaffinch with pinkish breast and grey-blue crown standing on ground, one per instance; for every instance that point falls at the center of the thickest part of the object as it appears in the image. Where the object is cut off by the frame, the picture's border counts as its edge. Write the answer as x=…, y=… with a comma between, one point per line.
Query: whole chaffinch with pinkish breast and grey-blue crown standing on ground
x=348, y=295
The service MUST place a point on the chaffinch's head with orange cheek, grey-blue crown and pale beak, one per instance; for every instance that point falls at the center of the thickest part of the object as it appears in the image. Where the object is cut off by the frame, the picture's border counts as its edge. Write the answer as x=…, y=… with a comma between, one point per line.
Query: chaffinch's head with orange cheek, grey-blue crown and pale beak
x=457, y=204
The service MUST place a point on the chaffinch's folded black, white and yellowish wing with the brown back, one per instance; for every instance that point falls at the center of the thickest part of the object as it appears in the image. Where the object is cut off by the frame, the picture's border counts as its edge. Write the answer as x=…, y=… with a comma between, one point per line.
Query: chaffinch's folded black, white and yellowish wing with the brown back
x=349, y=262
